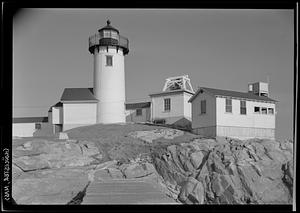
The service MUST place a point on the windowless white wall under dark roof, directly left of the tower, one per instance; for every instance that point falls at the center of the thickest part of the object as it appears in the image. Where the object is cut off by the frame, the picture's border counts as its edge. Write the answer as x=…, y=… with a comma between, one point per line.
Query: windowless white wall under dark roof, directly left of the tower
x=79, y=113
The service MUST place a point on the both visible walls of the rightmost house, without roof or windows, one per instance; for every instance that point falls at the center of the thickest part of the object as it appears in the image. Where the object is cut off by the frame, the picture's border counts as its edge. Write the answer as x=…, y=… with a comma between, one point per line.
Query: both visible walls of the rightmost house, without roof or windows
x=217, y=122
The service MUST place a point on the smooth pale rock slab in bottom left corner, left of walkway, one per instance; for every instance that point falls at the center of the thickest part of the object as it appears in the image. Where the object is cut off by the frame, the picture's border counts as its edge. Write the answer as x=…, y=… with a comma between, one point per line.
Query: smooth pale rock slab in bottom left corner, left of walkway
x=50, y=186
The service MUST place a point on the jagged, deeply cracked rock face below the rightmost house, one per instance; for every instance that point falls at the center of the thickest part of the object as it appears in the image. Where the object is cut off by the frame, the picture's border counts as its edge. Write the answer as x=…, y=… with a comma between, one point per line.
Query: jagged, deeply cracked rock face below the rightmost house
x=228, y=171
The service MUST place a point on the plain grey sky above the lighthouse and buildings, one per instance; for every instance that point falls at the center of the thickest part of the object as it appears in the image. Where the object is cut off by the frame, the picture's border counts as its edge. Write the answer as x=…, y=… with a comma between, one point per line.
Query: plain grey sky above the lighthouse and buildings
x=217, y=48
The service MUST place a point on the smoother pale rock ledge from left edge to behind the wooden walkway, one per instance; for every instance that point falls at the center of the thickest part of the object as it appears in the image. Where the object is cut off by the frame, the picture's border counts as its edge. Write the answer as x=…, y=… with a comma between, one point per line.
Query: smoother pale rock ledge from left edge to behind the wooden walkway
x=59, y=172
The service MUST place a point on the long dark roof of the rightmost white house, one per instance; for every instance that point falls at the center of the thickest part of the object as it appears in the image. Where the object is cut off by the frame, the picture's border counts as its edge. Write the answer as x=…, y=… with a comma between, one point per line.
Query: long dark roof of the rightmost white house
x=232, y=94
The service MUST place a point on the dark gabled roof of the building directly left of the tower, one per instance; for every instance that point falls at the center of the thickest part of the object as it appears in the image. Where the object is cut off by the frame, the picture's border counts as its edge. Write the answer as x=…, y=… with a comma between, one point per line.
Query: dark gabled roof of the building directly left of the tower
x=78, y=94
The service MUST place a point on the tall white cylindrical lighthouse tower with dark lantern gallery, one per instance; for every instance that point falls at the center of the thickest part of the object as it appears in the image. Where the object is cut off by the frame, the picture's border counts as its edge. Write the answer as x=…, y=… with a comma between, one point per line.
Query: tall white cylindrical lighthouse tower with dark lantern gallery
x=109, y=48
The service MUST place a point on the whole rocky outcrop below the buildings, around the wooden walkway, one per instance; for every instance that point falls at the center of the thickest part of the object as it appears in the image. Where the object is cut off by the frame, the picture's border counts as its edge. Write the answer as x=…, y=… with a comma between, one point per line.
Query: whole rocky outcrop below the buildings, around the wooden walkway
x=188, y=168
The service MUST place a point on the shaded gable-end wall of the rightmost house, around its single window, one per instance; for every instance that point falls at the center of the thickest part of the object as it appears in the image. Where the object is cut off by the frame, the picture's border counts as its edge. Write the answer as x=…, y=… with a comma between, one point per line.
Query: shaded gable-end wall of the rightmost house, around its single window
x=209, y=118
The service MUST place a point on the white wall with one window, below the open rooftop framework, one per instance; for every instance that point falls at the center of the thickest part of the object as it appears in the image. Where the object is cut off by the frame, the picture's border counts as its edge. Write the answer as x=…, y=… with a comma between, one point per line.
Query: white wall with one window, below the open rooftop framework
x=177, y=107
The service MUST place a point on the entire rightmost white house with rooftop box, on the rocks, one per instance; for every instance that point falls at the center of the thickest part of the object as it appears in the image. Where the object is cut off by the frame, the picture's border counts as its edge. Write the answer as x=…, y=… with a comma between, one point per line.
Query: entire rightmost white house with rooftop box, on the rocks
x=241, y=115
